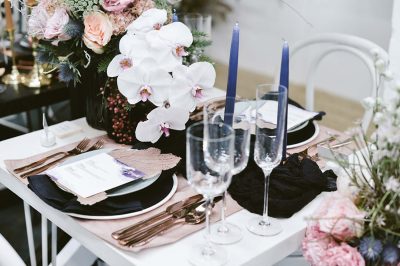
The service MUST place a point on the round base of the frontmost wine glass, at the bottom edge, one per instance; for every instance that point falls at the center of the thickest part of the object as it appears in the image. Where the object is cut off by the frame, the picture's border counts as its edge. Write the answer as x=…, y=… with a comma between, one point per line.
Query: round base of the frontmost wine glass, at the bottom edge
x=201, y=255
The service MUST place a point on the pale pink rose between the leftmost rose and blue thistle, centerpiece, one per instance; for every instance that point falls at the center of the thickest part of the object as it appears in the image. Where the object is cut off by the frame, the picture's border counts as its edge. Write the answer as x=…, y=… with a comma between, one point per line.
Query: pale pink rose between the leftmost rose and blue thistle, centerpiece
x=55, y=25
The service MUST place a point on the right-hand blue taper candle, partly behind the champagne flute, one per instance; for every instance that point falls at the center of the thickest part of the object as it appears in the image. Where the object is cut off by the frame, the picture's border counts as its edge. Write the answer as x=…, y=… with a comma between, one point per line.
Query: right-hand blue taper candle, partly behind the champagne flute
x=284, y=81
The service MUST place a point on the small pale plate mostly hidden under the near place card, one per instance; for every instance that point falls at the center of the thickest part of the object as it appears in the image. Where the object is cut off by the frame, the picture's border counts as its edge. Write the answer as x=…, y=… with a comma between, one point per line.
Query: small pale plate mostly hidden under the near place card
x=124, y=189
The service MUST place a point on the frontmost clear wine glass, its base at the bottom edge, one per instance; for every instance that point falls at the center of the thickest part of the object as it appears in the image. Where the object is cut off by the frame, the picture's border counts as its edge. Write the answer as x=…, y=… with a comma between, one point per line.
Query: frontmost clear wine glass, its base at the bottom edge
x=209, y=152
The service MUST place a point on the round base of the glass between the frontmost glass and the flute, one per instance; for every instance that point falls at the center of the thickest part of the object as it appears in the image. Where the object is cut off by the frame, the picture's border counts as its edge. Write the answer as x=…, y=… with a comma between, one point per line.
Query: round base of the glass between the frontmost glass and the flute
x=225, y=235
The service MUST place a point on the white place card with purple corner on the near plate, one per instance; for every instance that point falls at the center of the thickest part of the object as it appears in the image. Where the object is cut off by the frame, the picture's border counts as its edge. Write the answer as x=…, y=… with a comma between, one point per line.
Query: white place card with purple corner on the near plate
x=93, y=175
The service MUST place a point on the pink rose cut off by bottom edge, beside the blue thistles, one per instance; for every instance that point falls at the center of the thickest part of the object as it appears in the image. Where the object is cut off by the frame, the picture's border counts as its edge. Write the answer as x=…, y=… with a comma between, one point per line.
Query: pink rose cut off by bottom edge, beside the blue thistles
x=343, y=255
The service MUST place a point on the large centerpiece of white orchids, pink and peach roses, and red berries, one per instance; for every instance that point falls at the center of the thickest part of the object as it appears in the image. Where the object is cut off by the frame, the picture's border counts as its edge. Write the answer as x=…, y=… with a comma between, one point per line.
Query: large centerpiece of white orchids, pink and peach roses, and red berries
x=140, y=55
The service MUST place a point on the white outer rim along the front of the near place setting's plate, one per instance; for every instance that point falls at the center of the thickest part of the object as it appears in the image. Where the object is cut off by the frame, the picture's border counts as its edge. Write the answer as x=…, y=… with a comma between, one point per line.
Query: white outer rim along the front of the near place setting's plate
x=121, y=216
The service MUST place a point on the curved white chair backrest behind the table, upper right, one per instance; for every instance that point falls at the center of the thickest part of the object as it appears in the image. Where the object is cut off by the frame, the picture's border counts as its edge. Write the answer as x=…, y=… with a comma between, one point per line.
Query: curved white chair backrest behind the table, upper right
x=368, y=52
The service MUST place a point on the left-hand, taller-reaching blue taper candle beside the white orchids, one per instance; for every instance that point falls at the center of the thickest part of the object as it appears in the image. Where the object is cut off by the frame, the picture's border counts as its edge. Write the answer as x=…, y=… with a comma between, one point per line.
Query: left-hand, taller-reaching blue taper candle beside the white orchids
x=232, y=76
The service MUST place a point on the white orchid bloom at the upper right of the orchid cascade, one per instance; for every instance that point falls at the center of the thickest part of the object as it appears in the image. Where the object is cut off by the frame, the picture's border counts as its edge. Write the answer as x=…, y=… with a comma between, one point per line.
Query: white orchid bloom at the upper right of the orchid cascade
x=170, y=43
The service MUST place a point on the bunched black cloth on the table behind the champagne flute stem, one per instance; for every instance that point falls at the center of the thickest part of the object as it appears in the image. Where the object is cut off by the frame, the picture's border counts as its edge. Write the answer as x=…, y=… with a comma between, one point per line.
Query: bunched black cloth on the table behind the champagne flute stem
x=292, y=186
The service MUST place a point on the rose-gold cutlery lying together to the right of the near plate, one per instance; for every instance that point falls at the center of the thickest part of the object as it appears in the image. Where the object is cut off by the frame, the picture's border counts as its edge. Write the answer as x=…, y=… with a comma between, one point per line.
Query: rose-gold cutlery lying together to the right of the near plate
x=189, y=211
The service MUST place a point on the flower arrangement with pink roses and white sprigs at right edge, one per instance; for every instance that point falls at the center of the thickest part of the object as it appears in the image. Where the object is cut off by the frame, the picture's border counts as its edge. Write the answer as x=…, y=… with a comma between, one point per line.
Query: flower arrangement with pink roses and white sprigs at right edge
x=359, y=224
